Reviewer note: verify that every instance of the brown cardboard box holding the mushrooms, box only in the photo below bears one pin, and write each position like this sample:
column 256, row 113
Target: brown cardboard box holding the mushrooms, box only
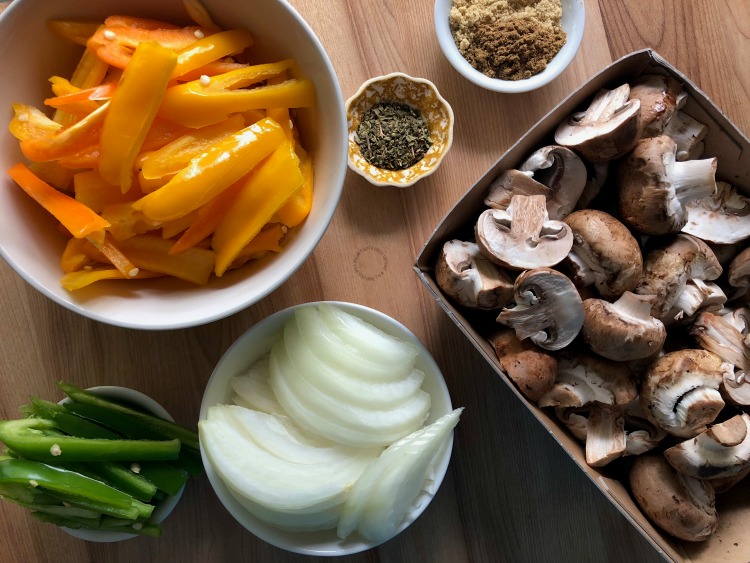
column 732, row 540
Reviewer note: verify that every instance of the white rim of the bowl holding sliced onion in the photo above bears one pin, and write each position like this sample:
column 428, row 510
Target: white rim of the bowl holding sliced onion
column 439, row 466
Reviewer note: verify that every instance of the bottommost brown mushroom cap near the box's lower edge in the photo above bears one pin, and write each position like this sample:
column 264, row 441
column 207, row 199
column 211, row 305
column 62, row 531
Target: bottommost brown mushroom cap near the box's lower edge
column 680, row 505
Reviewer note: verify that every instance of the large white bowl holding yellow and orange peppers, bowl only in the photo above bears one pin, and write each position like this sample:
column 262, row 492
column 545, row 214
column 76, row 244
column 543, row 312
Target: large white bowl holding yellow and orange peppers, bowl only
column 29, row 241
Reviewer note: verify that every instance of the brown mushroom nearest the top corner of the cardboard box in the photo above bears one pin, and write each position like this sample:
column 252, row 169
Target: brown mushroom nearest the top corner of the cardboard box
column 659, row 96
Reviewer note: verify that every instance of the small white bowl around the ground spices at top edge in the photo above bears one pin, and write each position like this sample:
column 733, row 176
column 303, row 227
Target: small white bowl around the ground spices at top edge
column 573, row 23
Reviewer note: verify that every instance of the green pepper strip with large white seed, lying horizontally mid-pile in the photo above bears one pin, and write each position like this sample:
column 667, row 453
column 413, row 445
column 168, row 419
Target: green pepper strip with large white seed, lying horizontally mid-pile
column 24, row 438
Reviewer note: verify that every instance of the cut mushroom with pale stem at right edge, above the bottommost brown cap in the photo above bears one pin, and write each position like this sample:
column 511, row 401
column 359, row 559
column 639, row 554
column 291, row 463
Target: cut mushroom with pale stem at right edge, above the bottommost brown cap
column 721, row 451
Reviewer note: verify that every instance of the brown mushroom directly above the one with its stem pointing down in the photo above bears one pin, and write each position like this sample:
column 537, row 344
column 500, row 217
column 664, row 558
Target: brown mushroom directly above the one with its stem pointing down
column 585, row 379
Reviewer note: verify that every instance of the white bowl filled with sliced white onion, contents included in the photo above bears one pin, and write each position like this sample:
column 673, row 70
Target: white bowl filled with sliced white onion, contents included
column 326, row 429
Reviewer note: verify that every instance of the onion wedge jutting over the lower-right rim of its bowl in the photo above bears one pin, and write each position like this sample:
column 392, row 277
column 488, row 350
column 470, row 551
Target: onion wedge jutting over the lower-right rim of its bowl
column 387, row 489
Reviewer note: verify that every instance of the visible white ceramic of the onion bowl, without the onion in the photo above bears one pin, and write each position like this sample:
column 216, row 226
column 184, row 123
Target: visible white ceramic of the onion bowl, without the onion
column 254, row 344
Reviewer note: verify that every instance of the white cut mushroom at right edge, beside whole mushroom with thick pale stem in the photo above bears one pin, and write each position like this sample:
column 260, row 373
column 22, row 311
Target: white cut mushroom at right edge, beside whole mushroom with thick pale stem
column 721, row 218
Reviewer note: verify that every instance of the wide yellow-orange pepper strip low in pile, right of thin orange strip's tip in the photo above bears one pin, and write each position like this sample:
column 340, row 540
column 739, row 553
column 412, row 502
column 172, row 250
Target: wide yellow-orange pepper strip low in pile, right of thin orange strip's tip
column 151, row 252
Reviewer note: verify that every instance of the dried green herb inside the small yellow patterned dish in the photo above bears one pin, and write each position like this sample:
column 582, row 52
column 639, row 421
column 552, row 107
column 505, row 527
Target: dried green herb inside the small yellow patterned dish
column 393, row 136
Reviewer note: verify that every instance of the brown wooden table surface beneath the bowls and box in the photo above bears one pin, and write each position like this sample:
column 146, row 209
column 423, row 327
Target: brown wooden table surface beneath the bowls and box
column 511, row 493
